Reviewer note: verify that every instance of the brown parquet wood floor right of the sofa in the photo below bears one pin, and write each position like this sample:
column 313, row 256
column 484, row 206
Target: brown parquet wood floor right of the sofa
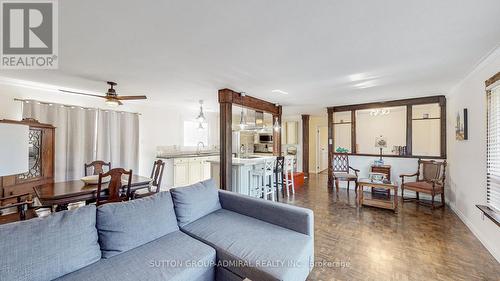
column 376, row 244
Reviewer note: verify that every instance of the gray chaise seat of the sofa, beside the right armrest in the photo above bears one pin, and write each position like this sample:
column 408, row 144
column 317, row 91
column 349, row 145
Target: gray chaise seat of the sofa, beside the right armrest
column 253, row 248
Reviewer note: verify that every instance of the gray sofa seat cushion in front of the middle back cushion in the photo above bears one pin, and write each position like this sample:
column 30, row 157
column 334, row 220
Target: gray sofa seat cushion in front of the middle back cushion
column 175, row 256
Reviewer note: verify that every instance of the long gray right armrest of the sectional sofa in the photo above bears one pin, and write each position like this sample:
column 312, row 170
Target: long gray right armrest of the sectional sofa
column 294, row 218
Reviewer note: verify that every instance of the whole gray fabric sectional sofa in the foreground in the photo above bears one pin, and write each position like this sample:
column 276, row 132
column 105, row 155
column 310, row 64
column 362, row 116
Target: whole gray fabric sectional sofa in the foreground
column 190, row 233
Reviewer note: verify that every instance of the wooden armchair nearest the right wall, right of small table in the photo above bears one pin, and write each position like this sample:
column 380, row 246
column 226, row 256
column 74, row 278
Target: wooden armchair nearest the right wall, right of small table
column 430, row 179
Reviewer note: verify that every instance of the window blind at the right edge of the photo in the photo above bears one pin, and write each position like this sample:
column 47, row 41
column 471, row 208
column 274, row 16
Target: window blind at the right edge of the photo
column 493, row 148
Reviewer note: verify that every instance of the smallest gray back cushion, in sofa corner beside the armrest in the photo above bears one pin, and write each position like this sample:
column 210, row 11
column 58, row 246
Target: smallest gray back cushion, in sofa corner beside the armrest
column 195, row 201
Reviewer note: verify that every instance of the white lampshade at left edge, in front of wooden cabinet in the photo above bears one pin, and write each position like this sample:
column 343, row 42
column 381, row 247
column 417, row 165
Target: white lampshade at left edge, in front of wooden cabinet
column 14, row 149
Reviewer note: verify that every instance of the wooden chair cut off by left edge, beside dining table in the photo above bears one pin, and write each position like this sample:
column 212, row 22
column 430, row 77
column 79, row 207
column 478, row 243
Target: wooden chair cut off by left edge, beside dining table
column 22, row 203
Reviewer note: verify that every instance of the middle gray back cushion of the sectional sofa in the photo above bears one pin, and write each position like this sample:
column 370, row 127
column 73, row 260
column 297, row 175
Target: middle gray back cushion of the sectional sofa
column 126, row 225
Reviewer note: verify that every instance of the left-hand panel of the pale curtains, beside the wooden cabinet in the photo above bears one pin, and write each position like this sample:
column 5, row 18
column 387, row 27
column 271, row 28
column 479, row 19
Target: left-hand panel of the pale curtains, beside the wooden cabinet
column 75, row 135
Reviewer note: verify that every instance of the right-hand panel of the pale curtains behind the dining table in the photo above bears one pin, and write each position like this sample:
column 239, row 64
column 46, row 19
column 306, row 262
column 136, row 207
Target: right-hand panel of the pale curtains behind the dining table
column 118, row 139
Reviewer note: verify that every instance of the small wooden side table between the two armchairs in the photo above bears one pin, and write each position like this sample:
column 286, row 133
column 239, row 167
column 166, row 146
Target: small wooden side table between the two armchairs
column 390, row 203
